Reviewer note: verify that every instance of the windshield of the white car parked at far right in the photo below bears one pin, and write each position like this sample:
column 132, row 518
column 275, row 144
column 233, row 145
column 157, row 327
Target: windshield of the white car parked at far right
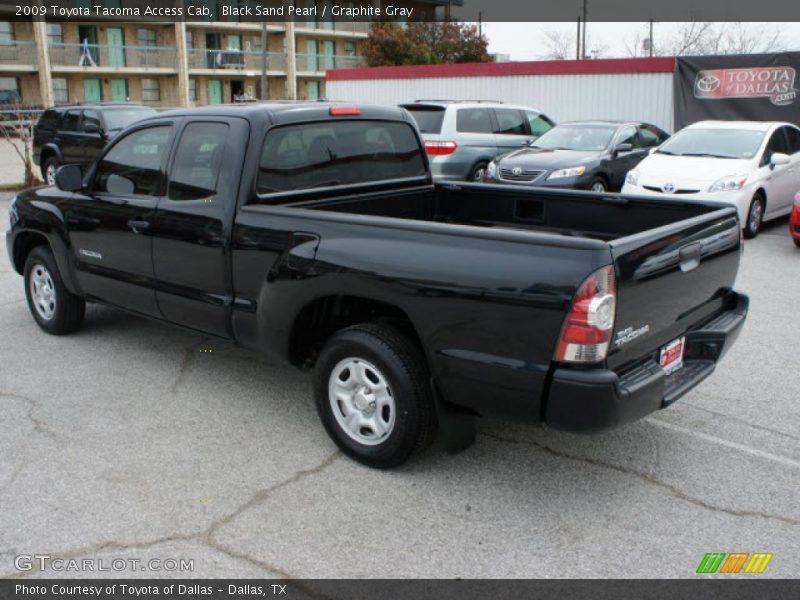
column 718, row 143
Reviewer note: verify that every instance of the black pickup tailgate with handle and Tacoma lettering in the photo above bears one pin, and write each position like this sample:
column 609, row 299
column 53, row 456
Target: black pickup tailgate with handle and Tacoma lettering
column 670, row 279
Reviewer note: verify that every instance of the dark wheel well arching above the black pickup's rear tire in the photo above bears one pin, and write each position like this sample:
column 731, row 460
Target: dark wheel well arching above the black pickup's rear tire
column 325, row 316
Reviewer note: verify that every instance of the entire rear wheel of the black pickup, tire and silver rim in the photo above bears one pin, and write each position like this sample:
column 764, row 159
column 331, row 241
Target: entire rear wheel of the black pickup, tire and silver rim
column 373, row 395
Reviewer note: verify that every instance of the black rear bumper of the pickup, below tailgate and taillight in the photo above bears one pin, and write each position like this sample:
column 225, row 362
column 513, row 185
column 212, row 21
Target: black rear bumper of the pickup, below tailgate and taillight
column 598, row 399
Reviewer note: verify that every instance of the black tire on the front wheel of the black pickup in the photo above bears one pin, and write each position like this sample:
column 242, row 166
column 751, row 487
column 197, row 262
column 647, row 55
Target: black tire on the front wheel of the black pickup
column 67, row 308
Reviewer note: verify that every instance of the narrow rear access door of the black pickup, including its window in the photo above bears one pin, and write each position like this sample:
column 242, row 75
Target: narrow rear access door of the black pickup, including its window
column 192, row 225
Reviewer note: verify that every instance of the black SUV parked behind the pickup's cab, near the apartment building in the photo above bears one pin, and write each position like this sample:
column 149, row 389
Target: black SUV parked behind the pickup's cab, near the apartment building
column 77, row 134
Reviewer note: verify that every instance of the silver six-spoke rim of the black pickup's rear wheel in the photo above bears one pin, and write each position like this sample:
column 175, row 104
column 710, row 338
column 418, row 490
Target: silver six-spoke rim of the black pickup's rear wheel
column 361, row 401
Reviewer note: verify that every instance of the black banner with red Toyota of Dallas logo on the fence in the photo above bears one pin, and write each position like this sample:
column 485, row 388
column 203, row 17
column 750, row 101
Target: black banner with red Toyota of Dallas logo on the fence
column 746, row 87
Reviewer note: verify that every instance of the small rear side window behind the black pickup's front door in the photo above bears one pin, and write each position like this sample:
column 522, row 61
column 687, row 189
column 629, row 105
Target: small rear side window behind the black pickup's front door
column 195, row 171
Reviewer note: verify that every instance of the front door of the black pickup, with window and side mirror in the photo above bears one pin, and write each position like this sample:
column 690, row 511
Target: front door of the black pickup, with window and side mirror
column 110, row 227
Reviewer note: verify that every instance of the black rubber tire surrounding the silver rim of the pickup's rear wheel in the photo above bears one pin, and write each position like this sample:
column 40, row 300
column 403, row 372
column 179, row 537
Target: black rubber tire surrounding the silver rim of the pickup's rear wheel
column 401, row 364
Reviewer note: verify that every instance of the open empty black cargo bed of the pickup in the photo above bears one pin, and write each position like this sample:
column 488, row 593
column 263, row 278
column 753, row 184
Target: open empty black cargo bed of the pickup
column 568, row 213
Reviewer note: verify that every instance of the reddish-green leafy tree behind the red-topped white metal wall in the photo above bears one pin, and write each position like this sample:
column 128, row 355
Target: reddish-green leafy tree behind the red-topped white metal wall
column 423, row 43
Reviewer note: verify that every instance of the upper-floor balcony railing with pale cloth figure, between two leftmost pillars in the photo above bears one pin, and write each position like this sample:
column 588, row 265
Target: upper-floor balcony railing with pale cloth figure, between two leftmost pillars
column 75, row 55
